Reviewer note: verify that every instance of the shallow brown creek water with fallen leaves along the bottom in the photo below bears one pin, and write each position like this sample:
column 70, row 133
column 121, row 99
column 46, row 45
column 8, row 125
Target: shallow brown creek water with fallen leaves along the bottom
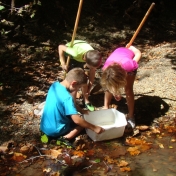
column 158, row 161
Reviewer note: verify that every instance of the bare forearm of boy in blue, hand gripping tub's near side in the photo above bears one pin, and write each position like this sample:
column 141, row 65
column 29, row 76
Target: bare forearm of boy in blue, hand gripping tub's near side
column 81, row 122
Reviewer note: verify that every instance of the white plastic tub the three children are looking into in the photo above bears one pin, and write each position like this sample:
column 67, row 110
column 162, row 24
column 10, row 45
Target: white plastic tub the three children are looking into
column 111, row 120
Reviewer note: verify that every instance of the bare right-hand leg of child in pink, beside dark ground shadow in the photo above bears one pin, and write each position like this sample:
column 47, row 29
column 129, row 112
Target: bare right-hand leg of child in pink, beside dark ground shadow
column 130, row 95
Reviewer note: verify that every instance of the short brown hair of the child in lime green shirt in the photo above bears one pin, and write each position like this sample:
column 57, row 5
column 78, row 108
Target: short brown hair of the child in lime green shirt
column 93, row 58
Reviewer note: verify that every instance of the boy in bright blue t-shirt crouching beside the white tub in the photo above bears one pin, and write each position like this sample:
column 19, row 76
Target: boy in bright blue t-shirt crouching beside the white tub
column 60, row 116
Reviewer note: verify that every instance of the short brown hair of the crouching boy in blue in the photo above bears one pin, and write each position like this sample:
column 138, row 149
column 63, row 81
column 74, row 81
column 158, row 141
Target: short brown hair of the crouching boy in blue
column 78, row 75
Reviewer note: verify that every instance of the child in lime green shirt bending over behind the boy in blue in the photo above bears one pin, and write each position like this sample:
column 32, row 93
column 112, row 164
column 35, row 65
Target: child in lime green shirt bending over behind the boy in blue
column 82, row 52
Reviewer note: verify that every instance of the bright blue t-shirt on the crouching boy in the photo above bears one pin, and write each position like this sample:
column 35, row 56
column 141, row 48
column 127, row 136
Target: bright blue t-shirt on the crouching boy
column 59, row 106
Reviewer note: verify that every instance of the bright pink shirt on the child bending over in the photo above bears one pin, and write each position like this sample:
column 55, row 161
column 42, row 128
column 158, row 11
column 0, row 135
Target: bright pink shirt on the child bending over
column 124, row 57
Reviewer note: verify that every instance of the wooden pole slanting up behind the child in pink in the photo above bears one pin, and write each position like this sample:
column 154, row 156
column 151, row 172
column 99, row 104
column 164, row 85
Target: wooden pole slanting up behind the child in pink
column 140, row 25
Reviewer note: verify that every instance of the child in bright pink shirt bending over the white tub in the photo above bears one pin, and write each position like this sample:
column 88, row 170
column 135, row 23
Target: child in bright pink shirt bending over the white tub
column 119, row 72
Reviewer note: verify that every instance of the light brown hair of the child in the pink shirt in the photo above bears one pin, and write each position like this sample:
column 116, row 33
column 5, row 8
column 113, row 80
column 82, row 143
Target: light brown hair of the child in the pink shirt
column 113, row 78
